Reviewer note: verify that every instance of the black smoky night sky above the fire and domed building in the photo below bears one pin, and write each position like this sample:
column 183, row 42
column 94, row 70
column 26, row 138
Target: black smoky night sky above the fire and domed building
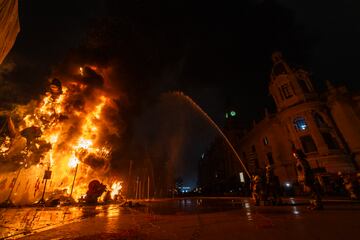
column 217, row 53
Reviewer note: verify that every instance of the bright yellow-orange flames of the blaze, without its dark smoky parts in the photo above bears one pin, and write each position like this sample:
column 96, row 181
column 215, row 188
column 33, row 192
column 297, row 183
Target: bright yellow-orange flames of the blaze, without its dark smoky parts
column 74, row 135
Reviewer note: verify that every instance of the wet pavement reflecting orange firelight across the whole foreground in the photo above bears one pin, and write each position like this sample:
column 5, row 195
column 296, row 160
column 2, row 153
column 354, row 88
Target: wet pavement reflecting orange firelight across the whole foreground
column 195, row 218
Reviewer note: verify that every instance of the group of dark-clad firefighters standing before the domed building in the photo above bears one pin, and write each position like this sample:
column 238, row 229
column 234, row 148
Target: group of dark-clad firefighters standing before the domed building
column 266, row 187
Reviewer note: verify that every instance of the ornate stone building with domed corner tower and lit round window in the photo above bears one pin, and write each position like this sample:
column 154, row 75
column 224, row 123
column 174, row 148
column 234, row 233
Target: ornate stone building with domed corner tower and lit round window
column 326, row 127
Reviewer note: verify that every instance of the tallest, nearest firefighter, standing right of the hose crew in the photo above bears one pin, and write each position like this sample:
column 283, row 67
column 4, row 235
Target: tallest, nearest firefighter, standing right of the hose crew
column 307, row 179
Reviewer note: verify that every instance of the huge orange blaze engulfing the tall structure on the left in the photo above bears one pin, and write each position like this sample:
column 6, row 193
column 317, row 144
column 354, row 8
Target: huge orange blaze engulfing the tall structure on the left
column 64, row 133
